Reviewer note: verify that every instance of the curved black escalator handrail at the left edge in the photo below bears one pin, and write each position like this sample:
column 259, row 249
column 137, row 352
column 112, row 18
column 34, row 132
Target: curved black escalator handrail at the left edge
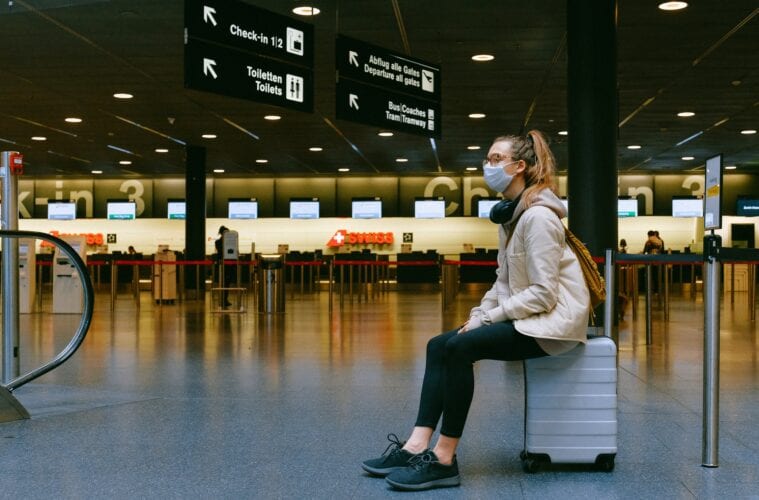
column 89, row 303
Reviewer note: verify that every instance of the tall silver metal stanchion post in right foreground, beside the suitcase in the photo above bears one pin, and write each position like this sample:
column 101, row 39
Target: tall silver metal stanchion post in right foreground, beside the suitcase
column 710, row 435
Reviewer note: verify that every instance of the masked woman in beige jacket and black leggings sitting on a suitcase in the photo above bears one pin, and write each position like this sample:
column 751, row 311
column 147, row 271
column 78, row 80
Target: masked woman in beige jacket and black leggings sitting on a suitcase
column 538, row 306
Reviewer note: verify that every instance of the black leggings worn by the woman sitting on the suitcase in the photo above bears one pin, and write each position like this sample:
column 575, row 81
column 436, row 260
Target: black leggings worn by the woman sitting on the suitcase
column 448, row 383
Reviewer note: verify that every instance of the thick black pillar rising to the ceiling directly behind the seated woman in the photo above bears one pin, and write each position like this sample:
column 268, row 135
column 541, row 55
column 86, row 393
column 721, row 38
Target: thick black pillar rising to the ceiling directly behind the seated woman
column 592, row 106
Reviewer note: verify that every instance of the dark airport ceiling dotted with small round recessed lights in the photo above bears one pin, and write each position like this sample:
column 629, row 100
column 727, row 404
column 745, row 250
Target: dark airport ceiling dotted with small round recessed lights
column 63, row 58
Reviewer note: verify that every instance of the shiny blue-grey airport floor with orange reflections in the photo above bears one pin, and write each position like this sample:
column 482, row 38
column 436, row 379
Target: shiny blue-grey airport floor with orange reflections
column 179, row 402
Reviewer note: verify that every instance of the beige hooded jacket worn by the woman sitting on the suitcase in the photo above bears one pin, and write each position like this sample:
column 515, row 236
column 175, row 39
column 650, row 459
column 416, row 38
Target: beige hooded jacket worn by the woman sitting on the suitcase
column 539, row 283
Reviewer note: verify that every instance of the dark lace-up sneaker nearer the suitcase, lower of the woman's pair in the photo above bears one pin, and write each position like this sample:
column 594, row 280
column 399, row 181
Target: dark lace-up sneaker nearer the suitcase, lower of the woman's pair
column 424, row 472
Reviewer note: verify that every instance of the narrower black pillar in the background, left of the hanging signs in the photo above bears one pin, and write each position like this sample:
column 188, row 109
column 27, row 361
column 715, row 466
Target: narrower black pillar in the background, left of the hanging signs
column 195, row 220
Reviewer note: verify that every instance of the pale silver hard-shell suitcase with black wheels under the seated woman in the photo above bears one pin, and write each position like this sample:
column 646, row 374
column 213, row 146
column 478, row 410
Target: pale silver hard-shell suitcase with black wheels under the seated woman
column 571, row 407
